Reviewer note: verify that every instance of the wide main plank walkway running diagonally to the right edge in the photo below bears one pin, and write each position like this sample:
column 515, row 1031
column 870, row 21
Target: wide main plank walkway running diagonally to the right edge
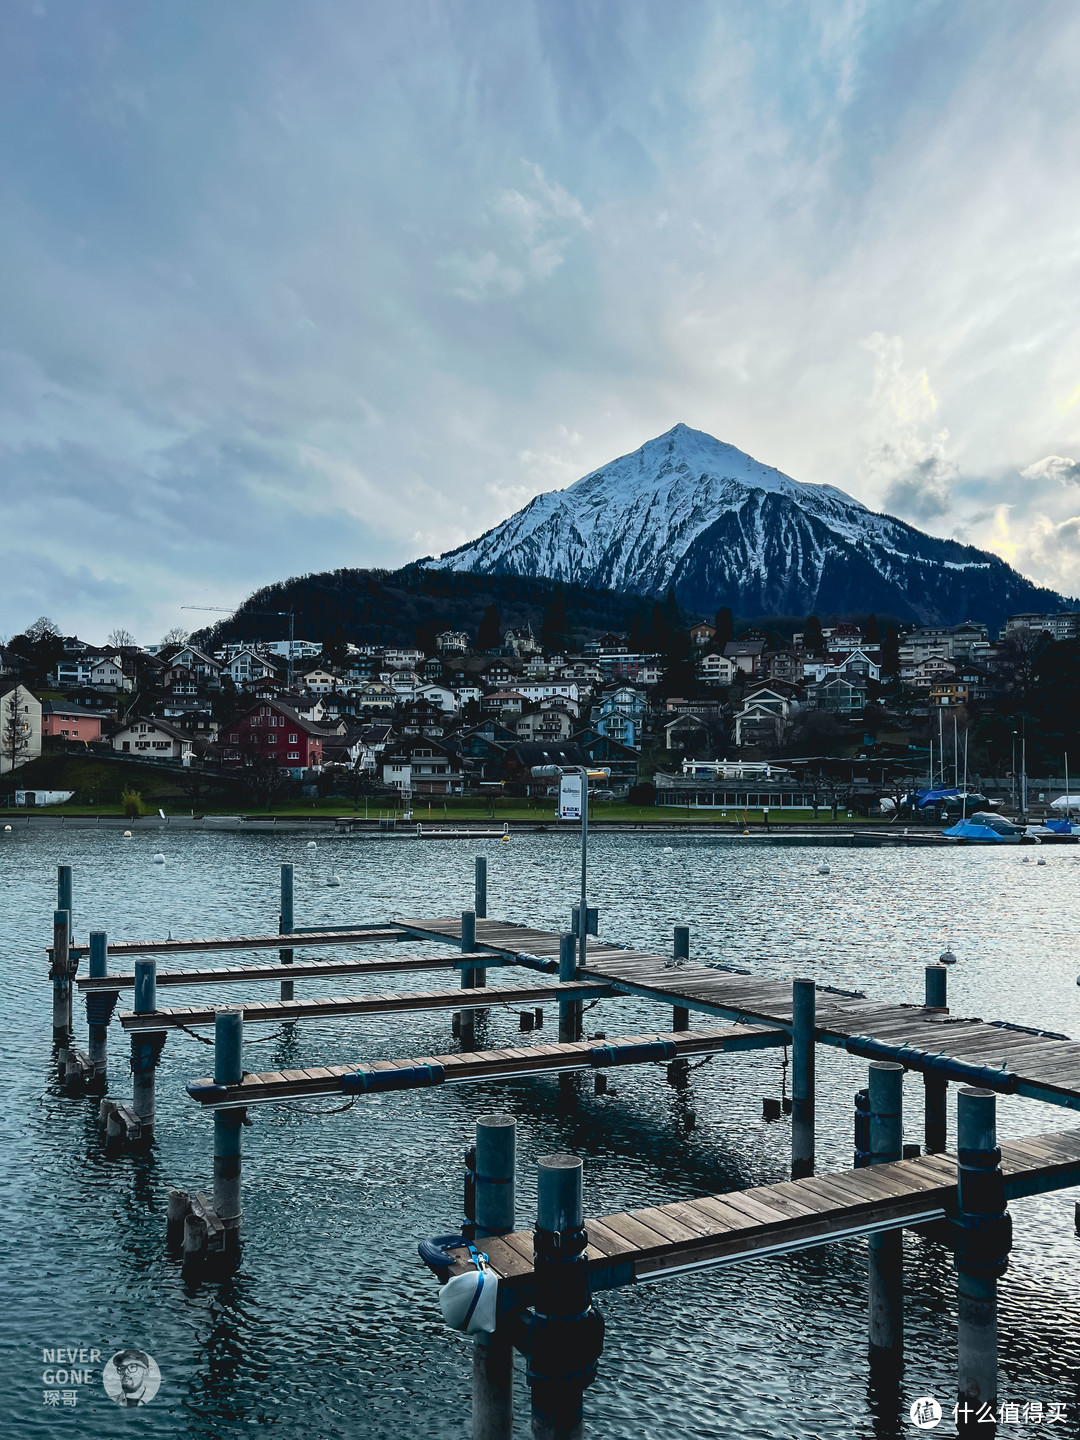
column 1013, row 1061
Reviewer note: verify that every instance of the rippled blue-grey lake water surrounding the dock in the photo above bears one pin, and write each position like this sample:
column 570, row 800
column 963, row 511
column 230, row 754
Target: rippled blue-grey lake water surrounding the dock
column 330, row 1328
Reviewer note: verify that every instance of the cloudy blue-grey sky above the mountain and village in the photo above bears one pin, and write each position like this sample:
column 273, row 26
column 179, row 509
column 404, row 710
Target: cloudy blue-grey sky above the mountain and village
column 289, row 286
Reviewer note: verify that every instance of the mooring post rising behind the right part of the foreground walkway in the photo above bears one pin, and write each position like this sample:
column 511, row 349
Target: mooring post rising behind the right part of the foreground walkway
column 886, row 1251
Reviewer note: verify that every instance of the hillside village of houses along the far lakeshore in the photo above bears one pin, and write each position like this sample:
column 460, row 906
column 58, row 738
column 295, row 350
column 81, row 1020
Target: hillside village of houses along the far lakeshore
column 453, row 719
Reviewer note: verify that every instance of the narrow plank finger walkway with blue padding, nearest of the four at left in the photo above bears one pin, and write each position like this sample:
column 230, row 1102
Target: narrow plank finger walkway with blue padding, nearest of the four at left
column 482, row 1065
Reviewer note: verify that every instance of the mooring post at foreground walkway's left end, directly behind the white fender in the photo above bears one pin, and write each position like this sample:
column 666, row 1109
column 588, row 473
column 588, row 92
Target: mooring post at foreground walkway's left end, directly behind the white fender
column 493, row 1356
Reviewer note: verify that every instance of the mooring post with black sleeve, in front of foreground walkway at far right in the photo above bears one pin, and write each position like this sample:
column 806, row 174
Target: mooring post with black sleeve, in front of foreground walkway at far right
column 983, row 1255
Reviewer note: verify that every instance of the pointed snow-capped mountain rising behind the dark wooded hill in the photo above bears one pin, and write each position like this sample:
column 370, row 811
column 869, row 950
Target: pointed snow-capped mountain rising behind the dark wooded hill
column 693, row 515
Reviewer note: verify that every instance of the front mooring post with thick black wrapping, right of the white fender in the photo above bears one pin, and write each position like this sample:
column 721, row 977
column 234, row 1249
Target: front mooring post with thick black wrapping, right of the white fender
column 567, row 1336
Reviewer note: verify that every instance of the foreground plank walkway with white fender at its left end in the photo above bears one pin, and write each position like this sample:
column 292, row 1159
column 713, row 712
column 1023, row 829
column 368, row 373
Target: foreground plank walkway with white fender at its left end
column 715, row 1230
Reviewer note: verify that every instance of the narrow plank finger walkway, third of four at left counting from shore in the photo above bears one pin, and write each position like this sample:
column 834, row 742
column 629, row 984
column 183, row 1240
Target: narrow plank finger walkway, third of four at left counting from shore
column 343, row 1006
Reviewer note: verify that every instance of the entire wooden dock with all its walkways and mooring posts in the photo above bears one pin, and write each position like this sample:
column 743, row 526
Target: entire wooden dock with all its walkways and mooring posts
column 548, row 1275
